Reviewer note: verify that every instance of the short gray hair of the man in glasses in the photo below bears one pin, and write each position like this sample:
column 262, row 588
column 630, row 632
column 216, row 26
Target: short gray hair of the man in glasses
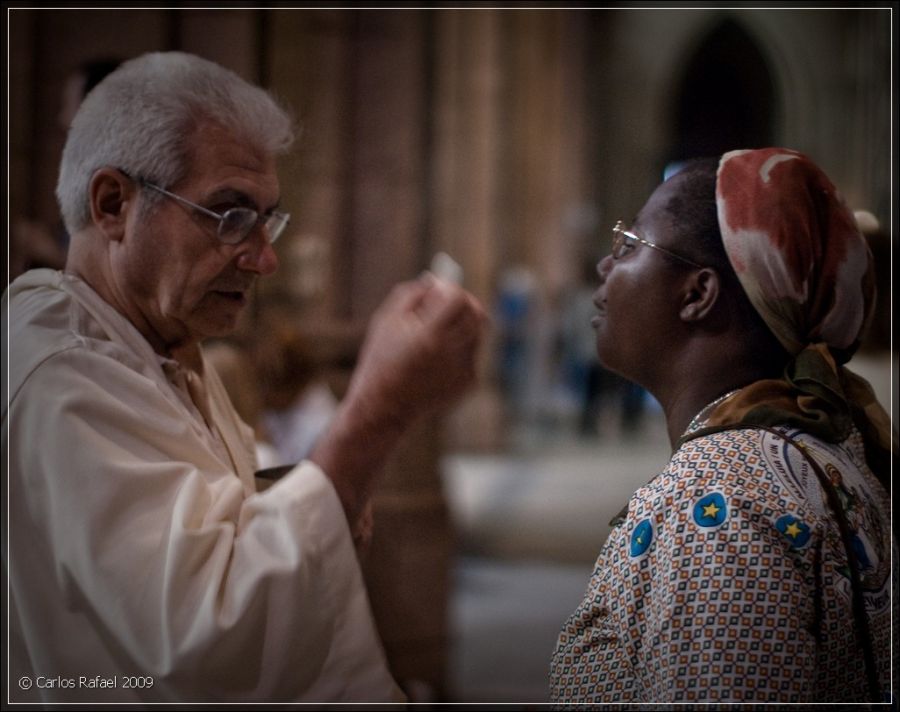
column 143, row 117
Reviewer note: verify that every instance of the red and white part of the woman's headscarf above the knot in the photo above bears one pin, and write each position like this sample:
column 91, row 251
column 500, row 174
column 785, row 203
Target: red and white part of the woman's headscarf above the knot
column 796, row 249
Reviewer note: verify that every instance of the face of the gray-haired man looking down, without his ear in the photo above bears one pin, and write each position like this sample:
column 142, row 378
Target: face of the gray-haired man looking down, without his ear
column 183, row 282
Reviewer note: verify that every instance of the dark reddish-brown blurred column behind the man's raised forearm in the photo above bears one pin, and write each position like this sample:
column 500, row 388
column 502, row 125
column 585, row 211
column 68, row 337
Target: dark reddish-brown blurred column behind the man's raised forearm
column 408, row 566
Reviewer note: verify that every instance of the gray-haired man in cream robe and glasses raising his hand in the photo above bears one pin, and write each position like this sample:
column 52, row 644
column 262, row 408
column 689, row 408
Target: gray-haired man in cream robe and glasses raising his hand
column 142, row 563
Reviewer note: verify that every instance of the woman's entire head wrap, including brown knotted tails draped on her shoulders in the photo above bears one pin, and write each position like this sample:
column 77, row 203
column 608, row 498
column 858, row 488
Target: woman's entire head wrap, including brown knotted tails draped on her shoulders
column 808, row 272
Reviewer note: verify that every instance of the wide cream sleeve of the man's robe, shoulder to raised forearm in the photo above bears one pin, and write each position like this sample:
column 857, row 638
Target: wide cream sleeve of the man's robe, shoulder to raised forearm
column 218, row 595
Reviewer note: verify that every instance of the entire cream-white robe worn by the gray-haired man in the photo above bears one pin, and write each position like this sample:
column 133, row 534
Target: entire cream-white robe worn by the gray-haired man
column 137, row 544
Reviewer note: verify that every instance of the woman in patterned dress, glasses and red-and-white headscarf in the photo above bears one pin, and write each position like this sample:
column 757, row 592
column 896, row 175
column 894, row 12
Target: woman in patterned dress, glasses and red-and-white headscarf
column 756, row 566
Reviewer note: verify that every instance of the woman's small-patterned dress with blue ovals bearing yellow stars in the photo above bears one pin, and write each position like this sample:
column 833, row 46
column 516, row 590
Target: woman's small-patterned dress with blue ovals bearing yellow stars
column 727, row 581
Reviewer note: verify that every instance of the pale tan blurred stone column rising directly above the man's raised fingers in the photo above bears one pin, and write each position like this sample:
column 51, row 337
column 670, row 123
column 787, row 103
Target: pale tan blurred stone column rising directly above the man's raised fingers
column 466, row 93
